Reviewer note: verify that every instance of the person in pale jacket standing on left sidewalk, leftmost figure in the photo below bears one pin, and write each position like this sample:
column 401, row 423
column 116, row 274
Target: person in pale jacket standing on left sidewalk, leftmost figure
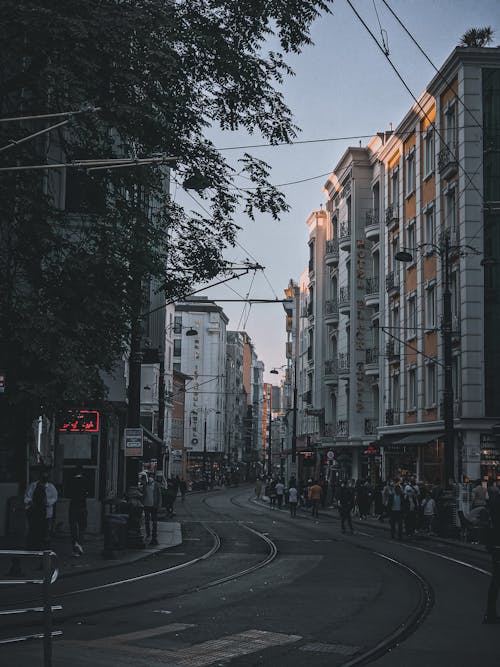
column 39, row 500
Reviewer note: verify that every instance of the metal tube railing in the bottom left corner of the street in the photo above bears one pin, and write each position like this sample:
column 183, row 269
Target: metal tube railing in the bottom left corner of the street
column 50, row 574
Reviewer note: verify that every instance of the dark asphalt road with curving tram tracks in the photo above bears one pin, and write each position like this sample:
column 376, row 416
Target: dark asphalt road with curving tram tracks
column 251, row 586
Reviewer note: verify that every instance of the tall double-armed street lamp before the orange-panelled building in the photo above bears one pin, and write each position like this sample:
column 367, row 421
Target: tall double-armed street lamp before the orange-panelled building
column 444, row 250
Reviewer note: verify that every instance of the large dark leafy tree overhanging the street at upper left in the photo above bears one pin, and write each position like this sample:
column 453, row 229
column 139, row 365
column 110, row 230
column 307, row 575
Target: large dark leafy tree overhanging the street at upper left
column 161, row 74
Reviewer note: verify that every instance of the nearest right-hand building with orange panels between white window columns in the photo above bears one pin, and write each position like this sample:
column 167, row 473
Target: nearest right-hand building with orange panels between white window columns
column 441, row 188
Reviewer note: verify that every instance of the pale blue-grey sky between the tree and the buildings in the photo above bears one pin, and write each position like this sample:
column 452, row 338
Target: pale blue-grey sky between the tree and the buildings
column 343, row 87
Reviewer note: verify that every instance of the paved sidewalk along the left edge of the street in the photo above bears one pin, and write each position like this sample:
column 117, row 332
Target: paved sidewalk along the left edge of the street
column 169, row 535
